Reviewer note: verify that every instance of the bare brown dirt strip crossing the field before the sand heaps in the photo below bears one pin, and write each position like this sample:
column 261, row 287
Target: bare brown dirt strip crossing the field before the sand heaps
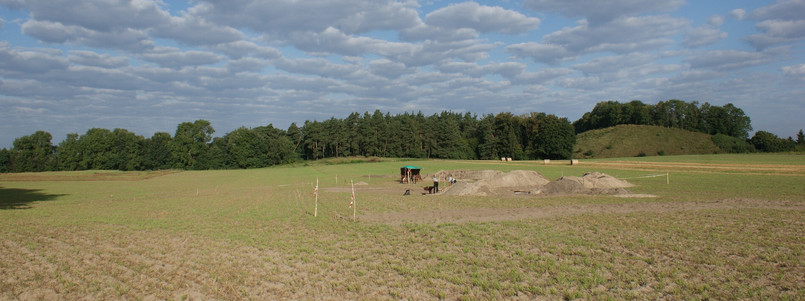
column 512, row 214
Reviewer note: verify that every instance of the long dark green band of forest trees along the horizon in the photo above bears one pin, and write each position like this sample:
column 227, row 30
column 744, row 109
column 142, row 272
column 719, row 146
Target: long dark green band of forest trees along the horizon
column 446, row 135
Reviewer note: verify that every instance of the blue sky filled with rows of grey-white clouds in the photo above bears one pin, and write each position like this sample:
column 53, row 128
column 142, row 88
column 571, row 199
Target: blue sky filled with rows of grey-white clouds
column 67, row 66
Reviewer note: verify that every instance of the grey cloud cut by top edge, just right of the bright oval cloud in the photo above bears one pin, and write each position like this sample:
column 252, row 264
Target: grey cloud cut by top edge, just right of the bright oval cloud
column 598, row 12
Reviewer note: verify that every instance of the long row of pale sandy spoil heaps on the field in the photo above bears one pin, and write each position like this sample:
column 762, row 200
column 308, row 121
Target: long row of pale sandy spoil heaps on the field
column 491, row 182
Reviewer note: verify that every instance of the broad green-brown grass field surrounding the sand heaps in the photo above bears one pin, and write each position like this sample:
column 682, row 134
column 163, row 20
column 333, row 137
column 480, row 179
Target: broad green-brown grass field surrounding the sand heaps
column 726, row 227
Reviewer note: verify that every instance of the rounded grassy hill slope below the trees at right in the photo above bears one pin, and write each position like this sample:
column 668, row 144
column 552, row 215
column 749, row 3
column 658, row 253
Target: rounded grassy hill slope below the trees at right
column 641, row 140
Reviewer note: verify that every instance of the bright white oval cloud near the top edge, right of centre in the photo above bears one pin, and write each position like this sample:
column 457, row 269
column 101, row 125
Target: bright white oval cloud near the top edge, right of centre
column 481, row 18
